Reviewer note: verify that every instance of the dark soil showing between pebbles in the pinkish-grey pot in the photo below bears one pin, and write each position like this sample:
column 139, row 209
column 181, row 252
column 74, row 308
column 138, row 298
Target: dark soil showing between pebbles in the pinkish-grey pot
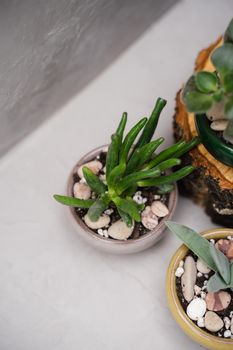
column 139, row 229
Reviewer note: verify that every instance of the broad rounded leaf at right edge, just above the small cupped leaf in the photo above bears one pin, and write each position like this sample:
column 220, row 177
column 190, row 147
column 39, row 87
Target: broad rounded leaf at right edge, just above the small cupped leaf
column 222, row 59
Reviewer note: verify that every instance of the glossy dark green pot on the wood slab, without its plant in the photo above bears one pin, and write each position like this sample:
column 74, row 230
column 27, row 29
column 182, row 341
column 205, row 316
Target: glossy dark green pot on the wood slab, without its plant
column 219, row 149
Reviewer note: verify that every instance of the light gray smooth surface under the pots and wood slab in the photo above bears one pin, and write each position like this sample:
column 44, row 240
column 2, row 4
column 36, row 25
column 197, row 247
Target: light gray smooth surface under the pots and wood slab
column 57, row 292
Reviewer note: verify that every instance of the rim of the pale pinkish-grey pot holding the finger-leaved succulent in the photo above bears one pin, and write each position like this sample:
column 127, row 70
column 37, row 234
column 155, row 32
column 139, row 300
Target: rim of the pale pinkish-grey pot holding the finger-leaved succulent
column 173, row 197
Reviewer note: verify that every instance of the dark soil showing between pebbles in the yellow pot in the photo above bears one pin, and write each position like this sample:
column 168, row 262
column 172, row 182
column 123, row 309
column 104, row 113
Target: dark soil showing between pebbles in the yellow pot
column 200, row 283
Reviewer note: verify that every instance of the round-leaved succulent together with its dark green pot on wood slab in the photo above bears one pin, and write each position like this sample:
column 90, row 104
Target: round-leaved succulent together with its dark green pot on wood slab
column 210, row 96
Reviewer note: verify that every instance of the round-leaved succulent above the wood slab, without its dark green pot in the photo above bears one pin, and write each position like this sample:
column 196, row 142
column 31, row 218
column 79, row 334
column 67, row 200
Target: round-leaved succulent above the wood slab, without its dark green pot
column 204, row 90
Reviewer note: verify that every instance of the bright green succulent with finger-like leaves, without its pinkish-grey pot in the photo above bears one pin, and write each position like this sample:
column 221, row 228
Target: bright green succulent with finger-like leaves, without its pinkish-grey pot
column 131, row 164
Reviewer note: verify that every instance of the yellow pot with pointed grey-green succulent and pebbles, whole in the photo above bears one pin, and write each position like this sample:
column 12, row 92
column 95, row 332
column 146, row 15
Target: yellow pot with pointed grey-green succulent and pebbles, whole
column 199, row 285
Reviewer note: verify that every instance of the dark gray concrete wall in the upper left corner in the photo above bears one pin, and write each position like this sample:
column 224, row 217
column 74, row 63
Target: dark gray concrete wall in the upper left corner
column 50, row 49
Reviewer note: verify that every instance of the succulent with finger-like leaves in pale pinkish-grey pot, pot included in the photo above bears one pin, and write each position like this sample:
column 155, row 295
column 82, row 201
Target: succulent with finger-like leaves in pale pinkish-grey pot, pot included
column 120, row 195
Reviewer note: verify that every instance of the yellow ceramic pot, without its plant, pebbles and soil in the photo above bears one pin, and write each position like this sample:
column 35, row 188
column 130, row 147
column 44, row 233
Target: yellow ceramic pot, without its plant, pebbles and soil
column 197, row 334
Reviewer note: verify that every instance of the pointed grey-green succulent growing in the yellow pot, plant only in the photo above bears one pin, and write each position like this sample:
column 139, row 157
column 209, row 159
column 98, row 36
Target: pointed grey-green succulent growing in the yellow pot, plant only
column 209, row 254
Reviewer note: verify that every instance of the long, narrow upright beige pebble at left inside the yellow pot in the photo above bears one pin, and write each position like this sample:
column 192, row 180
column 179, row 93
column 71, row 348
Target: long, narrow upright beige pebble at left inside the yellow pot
column 188, row 279
